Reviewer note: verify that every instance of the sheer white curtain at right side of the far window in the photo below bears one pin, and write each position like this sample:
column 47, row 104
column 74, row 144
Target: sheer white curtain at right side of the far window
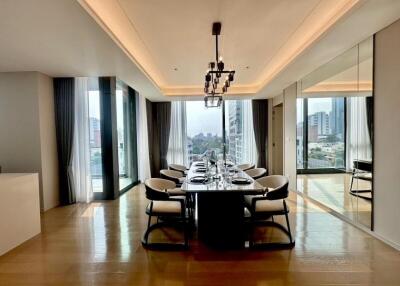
column 249, row 144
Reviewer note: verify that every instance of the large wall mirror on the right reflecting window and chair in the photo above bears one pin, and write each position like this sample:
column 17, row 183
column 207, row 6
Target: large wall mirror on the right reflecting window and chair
column 335, row 134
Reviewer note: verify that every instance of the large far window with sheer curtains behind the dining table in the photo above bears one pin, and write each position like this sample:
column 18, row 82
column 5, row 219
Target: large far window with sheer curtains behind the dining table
column 202, row 129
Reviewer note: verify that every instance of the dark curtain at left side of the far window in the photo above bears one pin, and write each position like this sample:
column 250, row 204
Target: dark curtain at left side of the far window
column 159, row 125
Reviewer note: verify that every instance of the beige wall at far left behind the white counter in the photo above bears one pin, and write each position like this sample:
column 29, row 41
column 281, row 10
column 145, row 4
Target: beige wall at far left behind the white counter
column 27, row 141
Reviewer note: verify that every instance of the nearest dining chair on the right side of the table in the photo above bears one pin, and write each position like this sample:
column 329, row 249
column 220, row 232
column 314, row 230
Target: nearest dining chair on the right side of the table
column 265, row 207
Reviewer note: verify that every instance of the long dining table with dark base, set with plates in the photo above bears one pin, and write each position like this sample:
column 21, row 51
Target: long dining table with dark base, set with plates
column 220, row 207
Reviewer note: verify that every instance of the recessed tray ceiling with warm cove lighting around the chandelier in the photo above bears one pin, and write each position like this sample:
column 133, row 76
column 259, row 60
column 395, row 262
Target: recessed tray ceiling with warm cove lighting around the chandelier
column 172, row 41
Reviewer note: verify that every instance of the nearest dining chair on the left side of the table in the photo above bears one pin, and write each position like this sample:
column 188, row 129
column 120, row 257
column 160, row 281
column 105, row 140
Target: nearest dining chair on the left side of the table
column 169, row 211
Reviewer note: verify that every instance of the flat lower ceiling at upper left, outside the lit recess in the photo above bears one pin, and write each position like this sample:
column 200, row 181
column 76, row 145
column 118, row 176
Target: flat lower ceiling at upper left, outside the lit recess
column 59, row 38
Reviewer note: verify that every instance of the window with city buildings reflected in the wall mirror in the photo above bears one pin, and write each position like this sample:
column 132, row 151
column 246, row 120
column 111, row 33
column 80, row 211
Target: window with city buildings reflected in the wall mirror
column 321, row 133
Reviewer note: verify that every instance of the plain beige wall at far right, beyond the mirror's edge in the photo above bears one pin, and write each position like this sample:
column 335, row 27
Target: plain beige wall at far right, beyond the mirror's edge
column 387, row 134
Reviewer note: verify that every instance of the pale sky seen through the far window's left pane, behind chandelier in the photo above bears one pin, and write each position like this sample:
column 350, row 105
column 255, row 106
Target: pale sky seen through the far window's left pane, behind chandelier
column 201, row 119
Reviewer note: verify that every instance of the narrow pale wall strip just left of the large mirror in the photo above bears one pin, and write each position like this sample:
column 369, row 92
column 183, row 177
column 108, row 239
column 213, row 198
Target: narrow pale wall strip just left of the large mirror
column 289, row 134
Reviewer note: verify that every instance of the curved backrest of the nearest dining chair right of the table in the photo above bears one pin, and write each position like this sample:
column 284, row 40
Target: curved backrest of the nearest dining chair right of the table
column 278, row 186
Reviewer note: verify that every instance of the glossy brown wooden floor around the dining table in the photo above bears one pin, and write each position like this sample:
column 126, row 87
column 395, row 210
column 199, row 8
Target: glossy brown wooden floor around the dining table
column 99, row 244
